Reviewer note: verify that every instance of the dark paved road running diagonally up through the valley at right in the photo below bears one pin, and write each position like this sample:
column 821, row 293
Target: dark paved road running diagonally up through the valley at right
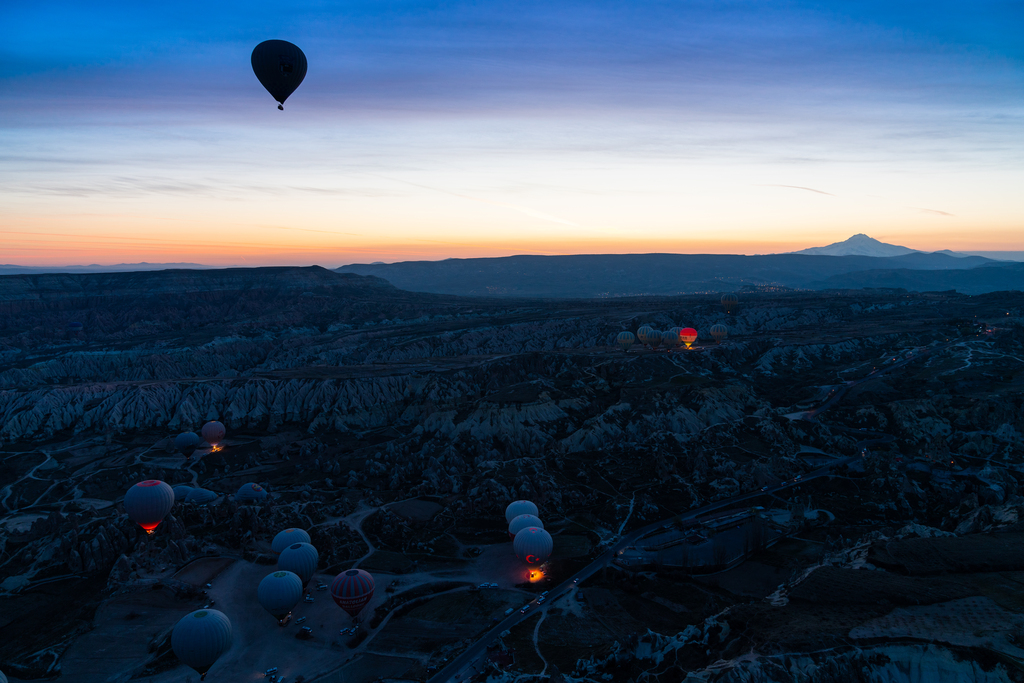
column 467, row 664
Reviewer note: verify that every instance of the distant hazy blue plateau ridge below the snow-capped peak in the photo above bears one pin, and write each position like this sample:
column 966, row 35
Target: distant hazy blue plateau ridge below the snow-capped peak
column 670, row 275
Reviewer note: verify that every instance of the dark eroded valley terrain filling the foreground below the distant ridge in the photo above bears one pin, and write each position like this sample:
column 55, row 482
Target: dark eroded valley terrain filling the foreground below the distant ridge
column 396, row 428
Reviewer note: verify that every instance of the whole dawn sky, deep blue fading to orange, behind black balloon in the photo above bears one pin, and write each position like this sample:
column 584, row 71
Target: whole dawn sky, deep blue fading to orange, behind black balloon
column 426, row 131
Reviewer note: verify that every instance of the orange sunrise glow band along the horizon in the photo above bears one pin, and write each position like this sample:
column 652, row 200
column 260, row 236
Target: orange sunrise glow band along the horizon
column 63, row 245
